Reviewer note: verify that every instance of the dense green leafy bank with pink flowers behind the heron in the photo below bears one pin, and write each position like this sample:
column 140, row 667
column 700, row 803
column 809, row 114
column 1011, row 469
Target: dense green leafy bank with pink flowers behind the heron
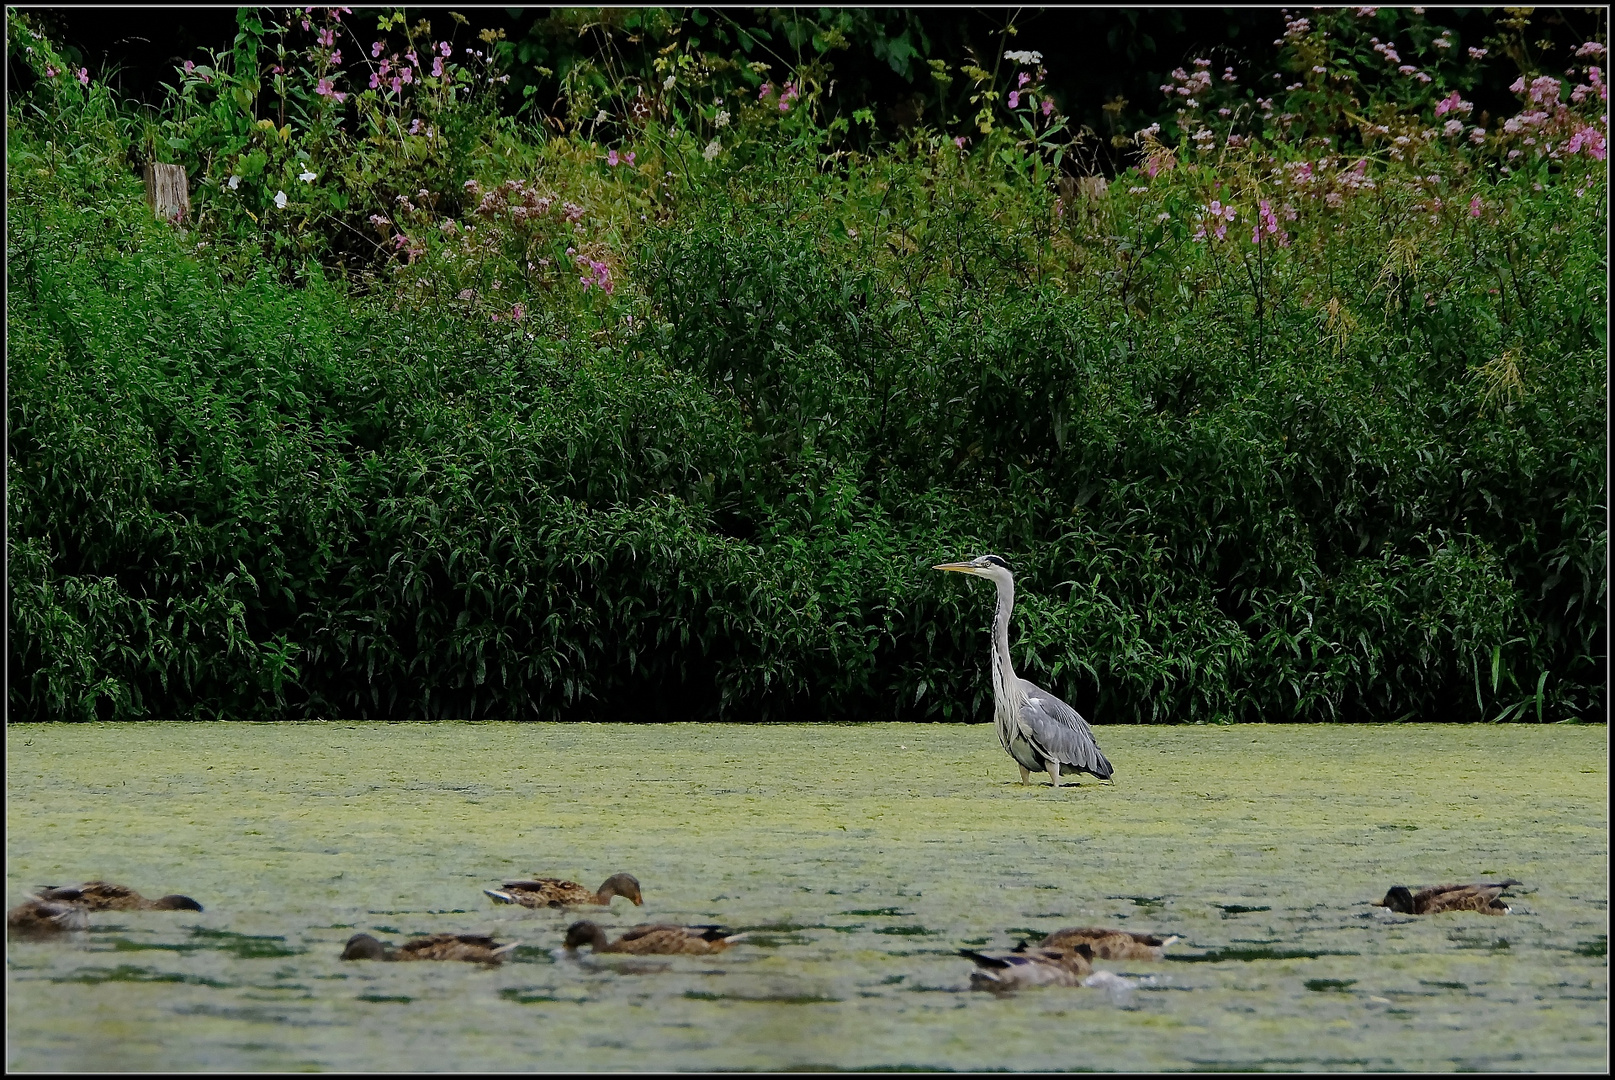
column 1346, row 467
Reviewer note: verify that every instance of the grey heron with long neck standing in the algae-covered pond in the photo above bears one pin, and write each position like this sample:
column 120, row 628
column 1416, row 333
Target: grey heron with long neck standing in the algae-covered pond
column 1036, row 729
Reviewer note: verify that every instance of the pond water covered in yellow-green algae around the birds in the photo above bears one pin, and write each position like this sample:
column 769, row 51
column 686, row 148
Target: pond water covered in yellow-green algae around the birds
column 862, row 856
